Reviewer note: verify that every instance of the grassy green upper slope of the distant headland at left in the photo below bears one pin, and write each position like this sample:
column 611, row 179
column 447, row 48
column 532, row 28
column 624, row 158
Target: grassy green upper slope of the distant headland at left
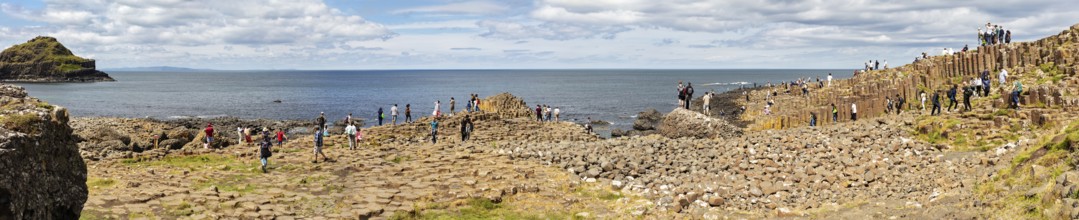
column 40, row 49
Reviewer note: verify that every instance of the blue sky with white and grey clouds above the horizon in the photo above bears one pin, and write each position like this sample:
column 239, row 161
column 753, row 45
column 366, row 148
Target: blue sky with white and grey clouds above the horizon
column 521, row 34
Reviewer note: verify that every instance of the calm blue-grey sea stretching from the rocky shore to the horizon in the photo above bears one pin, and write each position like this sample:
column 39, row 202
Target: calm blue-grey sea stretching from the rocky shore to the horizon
column 610, row 95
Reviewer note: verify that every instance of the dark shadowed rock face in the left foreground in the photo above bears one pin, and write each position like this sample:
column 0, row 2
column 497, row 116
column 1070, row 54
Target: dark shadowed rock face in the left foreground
column 42, row 174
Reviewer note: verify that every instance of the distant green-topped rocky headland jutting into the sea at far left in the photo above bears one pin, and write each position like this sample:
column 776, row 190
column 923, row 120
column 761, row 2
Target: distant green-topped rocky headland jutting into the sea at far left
column 46, row 60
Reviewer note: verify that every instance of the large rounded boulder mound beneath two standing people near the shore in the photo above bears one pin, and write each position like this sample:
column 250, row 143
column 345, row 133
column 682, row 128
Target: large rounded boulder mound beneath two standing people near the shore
column 686, row 123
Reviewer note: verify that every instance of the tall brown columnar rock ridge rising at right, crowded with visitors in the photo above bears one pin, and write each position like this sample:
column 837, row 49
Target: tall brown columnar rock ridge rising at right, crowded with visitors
column 1047, row 59
